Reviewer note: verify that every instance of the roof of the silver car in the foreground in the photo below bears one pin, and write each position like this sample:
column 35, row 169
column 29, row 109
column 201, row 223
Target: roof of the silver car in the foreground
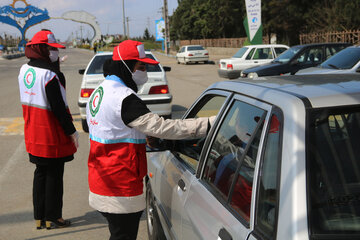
column 321, row 90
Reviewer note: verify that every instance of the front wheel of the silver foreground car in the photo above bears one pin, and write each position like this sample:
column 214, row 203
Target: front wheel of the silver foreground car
column 154, row 228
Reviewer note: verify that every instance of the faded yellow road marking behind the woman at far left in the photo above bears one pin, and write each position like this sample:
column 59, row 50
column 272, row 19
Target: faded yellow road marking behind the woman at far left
column 15, row 126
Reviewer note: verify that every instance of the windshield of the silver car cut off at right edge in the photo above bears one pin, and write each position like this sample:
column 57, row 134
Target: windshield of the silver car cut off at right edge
column 345, row 59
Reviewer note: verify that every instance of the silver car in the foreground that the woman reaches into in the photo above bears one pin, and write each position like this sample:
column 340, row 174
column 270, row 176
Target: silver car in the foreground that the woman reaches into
column 281, row 161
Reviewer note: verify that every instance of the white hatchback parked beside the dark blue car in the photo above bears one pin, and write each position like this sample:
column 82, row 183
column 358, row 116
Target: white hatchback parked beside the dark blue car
column 249, row 56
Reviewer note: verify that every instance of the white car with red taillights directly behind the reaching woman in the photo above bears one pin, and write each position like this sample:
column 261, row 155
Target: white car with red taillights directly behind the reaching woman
column 155, row 92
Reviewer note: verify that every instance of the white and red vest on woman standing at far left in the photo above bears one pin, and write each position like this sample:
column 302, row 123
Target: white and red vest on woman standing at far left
column 44, row 136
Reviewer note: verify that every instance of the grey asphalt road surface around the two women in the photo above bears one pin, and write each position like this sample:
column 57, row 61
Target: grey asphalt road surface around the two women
column 186, row 83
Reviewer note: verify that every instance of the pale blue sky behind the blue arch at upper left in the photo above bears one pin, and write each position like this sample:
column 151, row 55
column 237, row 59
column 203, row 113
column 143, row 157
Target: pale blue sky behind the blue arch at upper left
column 108, row 13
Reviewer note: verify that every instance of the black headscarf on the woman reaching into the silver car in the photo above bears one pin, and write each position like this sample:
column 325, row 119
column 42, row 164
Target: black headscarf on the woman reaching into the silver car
column 118, row 68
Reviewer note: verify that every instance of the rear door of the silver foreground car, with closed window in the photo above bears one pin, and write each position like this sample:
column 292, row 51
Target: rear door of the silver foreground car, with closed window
column 221, row 199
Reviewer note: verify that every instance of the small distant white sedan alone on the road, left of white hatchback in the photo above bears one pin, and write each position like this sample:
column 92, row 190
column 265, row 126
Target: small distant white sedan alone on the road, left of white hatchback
column 192, row 54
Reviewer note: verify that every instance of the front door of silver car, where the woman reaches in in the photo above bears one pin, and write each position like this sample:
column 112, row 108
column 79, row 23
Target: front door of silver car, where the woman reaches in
column 180, row 165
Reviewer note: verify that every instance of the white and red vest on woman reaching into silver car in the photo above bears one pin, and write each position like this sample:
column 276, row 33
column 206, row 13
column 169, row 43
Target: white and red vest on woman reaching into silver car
column 117, row 158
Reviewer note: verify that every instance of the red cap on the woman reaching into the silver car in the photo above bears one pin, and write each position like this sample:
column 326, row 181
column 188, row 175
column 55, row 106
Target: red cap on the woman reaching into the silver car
column 131, row 50
